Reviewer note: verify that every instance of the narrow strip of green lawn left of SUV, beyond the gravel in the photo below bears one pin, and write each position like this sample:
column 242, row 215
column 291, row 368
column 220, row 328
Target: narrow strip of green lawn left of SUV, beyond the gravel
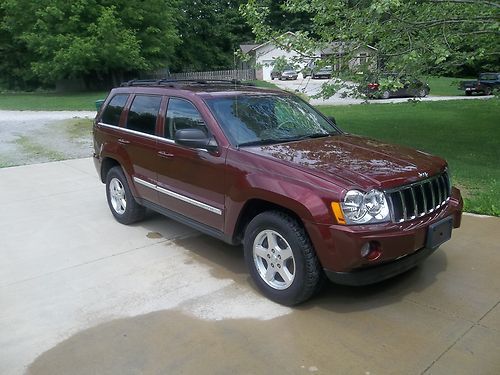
column 50, row 101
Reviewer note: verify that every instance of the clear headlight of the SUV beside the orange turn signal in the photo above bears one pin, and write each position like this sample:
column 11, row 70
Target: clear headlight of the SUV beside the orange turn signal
column 363, row 208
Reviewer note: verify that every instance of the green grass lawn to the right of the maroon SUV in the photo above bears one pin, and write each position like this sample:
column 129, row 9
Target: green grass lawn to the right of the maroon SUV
column 465, row 133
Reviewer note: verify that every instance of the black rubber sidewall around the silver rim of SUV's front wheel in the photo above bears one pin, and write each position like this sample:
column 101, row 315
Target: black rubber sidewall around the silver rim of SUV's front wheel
column 268, row 221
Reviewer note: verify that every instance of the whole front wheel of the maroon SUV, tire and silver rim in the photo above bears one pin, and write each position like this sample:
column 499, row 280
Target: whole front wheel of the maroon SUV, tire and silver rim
column 288, row 272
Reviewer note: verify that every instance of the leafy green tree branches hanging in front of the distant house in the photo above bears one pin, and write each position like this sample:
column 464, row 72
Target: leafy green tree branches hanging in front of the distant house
column 420, row 36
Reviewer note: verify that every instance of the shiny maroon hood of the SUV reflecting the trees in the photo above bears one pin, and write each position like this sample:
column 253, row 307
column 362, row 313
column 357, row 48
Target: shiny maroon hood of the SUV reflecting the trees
column 359, row 161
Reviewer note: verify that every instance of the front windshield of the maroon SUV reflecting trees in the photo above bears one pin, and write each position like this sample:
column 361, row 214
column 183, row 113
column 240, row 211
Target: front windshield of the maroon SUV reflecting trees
column 251, row 120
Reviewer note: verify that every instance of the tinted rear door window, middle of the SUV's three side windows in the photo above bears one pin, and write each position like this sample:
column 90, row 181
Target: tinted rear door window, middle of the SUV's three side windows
column 143, row 112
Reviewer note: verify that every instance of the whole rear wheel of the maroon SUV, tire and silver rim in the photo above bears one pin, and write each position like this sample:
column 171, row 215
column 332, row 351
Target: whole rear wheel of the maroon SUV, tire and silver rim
column 121, row 202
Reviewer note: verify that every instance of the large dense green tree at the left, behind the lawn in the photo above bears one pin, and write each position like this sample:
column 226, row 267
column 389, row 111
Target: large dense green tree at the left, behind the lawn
column 90, row 38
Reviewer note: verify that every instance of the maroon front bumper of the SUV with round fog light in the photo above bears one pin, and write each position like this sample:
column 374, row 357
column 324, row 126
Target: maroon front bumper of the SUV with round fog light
column 403, row 245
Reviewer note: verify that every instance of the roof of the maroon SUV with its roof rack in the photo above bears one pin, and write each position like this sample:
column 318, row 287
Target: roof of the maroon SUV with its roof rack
column 203, row 88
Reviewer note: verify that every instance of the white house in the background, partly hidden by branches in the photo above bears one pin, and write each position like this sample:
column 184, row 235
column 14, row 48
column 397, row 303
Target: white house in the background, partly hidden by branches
column 263, row 56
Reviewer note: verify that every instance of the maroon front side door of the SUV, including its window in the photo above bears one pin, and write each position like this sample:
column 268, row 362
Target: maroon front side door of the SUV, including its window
column 190, row 181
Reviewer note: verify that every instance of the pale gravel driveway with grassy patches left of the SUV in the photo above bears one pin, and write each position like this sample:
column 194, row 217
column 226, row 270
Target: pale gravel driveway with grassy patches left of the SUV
column 28, row 137
